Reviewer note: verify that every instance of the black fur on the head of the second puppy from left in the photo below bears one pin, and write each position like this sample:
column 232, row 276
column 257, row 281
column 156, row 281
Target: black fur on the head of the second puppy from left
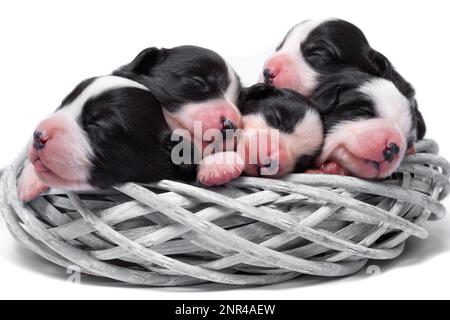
column 180, row 75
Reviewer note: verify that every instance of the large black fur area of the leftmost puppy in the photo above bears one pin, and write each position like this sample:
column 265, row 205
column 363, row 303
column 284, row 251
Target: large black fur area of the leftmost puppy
column 130, row 139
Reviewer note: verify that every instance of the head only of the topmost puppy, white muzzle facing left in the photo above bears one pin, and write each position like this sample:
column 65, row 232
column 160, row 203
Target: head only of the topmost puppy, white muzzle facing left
column 314, row 48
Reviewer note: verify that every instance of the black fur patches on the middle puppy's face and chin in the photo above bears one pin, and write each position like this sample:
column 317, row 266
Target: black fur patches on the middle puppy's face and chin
column 283, row 109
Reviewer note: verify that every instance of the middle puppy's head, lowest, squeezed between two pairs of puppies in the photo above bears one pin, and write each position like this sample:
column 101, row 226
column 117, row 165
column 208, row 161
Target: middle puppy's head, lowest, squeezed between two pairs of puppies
column 282, row 132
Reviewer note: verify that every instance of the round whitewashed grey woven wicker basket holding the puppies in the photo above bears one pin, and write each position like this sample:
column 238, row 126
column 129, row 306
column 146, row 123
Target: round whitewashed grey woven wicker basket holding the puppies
column 254, row 231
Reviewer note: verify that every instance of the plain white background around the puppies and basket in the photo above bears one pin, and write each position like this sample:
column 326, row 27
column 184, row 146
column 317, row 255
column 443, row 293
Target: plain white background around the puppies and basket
column 47, row 47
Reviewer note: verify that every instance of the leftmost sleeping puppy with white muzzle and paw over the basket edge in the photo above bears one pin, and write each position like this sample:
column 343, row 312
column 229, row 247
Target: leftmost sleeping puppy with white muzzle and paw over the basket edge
column 109, row 130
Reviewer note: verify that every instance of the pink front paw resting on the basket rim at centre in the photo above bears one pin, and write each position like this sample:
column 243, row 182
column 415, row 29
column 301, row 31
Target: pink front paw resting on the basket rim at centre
column 220, row 168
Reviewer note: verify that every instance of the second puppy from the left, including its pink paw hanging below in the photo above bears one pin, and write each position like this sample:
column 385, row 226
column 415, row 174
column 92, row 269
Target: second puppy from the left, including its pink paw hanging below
column 198, row 90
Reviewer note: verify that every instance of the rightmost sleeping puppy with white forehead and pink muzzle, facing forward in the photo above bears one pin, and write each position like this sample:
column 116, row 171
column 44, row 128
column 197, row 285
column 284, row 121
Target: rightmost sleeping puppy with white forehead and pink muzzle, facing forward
column 368, row 122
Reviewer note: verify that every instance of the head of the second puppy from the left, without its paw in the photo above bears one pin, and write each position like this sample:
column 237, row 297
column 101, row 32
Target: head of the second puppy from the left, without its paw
column 192, row 83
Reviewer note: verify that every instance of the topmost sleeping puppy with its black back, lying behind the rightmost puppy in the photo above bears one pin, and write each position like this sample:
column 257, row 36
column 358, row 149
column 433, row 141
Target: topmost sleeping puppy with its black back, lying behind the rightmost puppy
column 317, row 48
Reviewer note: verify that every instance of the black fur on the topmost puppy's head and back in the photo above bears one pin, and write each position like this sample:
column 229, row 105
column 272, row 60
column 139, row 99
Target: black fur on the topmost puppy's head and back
column 336, row 45
